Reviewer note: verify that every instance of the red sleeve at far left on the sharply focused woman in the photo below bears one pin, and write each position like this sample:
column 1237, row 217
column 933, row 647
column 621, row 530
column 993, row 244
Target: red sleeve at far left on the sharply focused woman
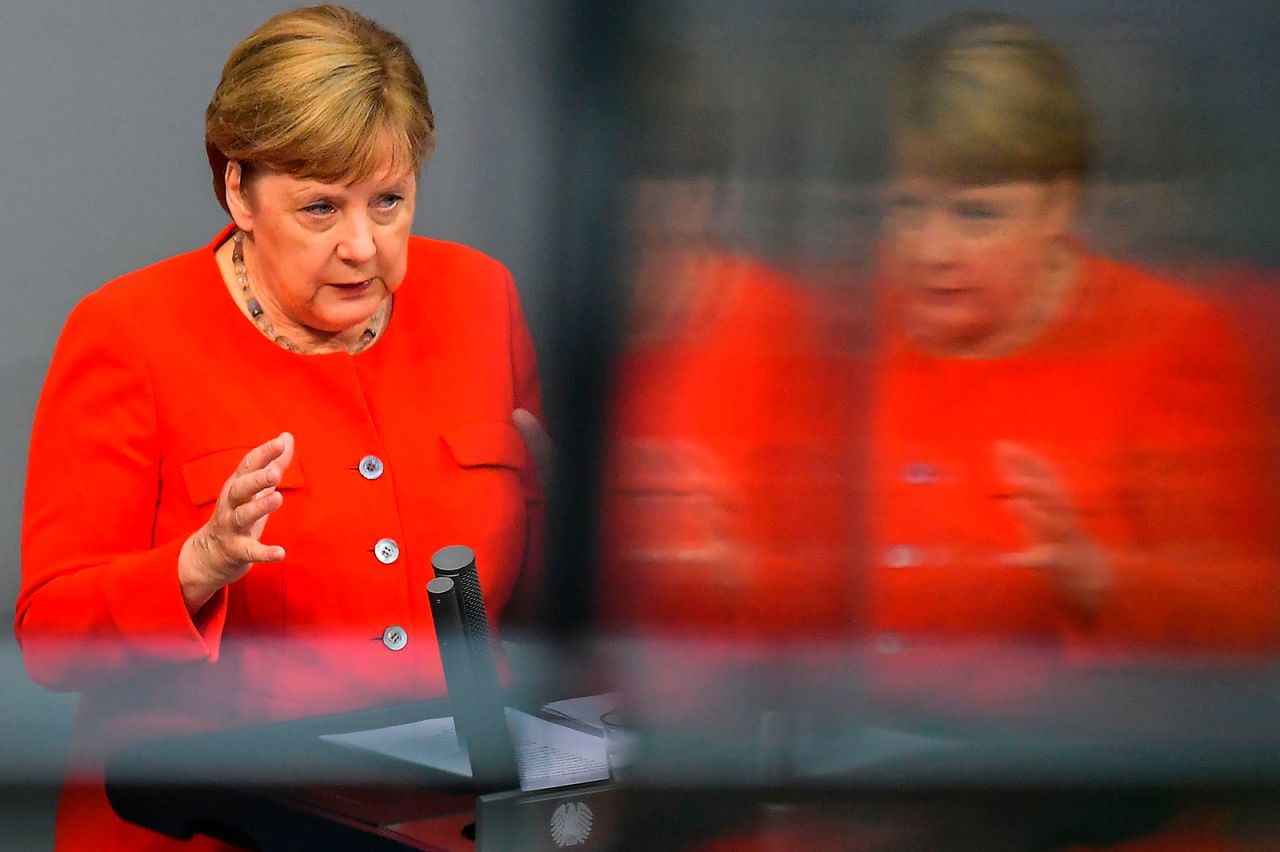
column 100, row 598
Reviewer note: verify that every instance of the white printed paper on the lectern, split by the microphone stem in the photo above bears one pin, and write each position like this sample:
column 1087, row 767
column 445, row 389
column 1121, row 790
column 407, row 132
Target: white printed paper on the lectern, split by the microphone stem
column 547, row 755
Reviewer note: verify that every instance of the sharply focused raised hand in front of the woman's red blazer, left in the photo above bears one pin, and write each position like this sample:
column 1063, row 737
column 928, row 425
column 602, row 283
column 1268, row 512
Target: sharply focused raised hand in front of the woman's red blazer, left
column 230, row 544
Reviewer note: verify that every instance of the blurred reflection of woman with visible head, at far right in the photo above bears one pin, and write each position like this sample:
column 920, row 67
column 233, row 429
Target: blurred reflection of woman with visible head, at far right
column 1064, row 448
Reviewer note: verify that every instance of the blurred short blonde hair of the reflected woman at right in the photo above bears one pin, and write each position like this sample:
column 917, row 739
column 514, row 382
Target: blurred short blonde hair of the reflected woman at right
column 985, row 99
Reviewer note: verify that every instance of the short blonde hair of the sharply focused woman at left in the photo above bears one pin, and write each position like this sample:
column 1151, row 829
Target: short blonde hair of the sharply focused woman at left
column 319, row 94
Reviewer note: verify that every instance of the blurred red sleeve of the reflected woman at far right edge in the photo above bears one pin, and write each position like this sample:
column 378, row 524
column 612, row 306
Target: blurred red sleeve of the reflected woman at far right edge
column 1203, row 570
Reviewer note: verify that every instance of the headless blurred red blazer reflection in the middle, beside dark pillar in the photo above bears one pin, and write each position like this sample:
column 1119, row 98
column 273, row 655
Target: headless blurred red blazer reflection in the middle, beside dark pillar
column 732, row 484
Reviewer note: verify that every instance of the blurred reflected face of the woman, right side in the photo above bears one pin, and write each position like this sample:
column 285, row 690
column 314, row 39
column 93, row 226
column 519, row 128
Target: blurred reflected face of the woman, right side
column 971, row 262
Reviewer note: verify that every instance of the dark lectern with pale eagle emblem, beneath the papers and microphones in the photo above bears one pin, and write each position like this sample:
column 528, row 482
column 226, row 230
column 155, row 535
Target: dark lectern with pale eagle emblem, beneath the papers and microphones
column 284, row 787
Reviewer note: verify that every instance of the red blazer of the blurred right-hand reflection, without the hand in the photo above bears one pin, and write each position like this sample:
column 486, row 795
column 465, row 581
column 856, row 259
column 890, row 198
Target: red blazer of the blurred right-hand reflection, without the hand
column 1142, row 398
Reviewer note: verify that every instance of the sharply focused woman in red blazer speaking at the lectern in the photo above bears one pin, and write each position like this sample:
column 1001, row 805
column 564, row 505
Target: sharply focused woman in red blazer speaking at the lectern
column 245, row 456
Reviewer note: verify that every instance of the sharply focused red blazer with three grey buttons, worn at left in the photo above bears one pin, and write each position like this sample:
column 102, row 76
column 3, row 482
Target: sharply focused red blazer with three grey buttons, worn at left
column 158, row 387
